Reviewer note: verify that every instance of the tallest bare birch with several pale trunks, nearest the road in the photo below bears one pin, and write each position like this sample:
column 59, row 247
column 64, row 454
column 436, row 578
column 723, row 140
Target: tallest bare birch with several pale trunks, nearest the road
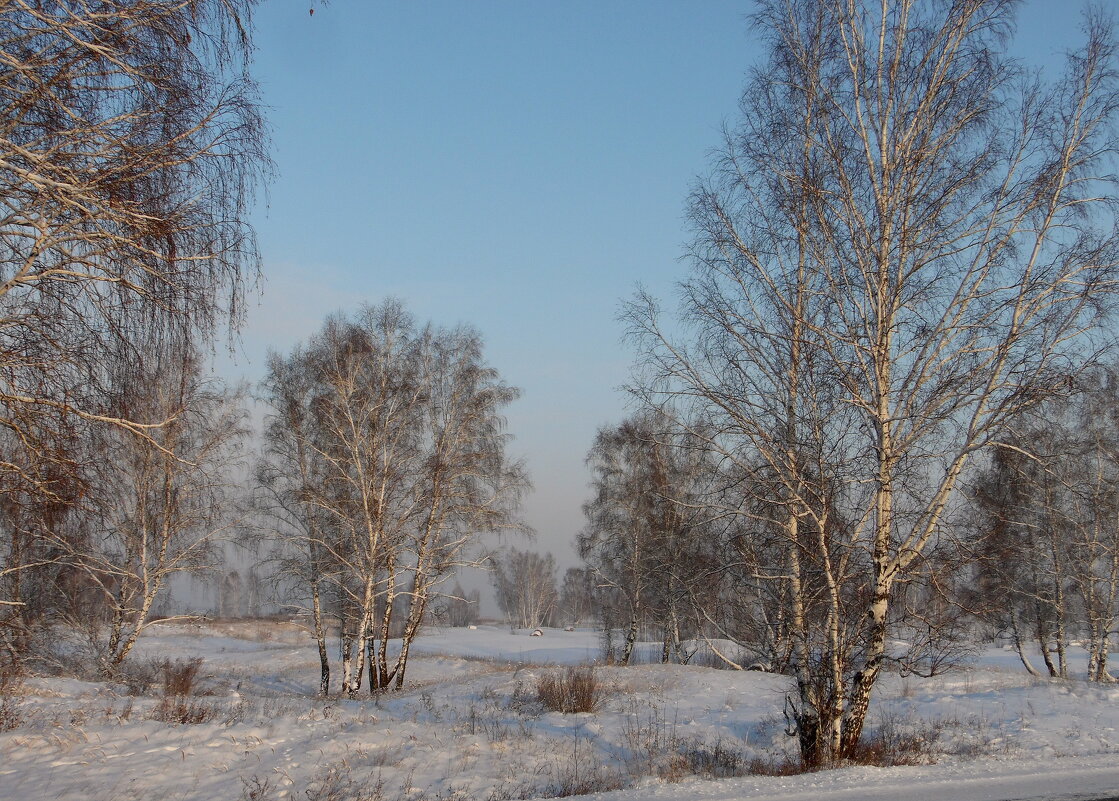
column 907, row 241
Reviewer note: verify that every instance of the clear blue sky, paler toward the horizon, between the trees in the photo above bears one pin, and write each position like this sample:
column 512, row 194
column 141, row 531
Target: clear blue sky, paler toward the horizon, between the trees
column 520, row 166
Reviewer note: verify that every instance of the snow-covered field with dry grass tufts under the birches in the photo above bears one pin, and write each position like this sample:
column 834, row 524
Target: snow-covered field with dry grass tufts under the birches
column 469, row 727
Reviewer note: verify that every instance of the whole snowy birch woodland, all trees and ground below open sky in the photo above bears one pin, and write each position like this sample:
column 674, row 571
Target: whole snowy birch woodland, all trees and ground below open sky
column 869, row 482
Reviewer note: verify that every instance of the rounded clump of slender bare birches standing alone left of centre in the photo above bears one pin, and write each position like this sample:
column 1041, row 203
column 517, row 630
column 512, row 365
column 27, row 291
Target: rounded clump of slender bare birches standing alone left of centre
column 384, row 460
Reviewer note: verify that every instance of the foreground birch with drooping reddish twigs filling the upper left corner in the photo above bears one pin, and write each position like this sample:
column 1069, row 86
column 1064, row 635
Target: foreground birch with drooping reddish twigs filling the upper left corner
column 131, row 145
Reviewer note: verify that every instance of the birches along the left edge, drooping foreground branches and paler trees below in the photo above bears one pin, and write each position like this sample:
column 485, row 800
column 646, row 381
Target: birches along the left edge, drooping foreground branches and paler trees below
column 131, row 145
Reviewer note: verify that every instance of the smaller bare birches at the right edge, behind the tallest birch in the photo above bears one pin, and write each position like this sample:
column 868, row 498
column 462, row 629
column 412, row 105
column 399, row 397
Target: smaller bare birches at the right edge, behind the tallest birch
column 1049, row 527
